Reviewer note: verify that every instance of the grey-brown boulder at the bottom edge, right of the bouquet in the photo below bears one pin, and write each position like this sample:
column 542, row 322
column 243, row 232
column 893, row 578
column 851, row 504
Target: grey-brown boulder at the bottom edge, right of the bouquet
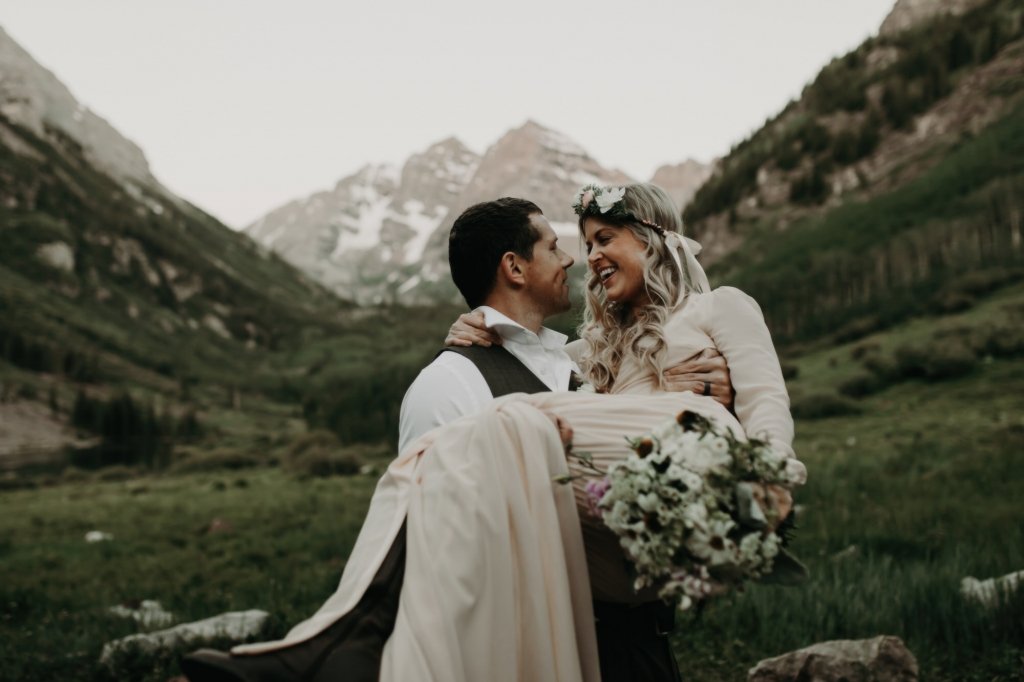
column 883, row 659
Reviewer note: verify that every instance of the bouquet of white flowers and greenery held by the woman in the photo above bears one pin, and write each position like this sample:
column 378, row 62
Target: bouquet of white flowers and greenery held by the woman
column 689, row 507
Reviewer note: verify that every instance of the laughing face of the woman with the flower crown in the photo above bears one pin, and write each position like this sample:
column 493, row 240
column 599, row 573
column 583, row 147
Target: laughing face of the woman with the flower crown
column 618, row 259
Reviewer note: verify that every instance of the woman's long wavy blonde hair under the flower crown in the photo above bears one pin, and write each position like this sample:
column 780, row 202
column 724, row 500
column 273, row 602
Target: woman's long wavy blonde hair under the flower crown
column 614, row 332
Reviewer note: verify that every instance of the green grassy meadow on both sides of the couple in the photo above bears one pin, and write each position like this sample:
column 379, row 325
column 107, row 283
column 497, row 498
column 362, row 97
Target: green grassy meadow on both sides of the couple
column 919, row 489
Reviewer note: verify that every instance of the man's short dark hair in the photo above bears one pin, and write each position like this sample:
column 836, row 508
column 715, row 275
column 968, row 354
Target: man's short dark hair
column 482, row 236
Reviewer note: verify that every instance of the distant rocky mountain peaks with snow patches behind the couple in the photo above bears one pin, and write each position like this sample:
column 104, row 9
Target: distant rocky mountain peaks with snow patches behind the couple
column 381, row 235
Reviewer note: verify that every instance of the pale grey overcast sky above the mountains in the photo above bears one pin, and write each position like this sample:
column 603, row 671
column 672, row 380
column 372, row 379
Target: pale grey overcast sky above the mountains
column 244, row 105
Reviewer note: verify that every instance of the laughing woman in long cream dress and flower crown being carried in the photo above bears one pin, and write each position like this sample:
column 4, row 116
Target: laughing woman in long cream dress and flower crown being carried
column 501, row 570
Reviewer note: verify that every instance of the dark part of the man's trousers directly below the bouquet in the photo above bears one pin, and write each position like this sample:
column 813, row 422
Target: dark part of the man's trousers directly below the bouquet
column 633, row 643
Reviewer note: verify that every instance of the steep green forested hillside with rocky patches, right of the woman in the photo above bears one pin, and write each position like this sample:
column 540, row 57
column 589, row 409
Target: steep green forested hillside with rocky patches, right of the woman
column 893, row 187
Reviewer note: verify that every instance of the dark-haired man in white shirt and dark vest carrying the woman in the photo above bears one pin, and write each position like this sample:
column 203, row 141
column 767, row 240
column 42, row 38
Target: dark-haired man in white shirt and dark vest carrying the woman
column 506, row 263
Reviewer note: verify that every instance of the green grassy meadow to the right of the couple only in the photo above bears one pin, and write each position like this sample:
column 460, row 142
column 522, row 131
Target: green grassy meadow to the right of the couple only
column 922, row 489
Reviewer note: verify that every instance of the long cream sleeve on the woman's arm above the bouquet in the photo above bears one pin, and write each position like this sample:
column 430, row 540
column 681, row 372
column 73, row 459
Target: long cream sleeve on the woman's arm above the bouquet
column 739, row 330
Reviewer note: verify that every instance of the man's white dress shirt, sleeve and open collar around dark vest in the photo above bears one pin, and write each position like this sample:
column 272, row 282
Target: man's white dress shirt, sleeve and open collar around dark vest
column 452, row 387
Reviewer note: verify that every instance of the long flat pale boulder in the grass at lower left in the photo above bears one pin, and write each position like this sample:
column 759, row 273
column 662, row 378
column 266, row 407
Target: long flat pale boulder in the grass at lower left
column 237, row 626
